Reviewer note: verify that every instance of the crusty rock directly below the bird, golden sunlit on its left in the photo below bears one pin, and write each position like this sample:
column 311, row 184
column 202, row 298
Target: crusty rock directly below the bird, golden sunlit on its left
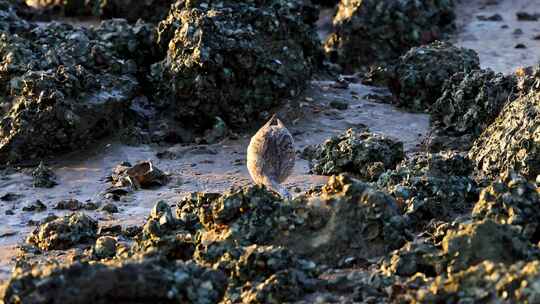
column 251, row 215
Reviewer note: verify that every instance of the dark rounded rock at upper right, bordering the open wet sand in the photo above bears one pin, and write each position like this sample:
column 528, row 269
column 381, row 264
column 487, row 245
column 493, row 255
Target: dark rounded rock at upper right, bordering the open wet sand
column 418, row 76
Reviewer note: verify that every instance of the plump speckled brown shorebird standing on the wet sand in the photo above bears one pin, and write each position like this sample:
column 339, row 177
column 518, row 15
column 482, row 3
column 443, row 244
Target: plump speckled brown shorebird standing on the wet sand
column 270, row 156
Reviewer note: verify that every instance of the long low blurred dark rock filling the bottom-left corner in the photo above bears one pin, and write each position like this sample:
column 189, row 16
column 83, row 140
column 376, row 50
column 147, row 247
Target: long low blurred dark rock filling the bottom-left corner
column 149, row 280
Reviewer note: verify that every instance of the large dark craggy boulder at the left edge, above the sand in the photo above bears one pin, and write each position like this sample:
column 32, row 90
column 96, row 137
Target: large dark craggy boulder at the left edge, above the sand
column 74, row 84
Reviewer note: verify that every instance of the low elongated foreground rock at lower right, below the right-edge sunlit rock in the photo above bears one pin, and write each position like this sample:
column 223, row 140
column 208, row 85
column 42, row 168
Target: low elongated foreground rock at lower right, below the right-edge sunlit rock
column 462, row 246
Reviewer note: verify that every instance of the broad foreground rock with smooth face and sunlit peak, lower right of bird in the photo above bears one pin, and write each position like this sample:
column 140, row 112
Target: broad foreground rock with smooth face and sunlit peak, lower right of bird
column 347, row 219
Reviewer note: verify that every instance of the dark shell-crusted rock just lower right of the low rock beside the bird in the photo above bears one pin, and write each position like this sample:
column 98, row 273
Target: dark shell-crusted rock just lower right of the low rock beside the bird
column 432, row 186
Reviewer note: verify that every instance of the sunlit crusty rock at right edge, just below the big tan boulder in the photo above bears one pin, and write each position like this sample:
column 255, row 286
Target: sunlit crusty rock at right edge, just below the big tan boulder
column 511, row 200
